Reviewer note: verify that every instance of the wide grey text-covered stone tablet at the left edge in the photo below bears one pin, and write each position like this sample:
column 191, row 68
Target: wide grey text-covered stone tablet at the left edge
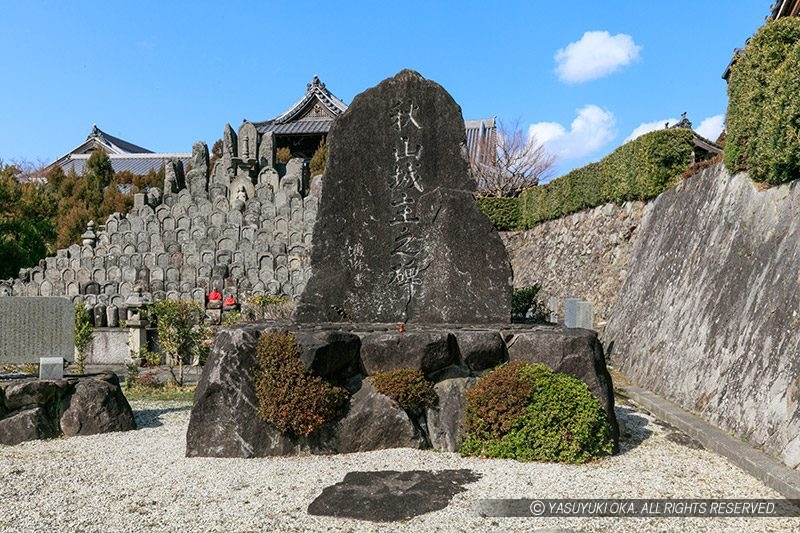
column 34, row 327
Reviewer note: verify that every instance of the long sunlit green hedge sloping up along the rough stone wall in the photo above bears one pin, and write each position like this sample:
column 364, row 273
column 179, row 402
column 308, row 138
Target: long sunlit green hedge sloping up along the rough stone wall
column 638, row 170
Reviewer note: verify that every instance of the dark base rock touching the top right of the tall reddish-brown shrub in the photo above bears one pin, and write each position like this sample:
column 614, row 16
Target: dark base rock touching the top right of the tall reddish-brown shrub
column 328, row 353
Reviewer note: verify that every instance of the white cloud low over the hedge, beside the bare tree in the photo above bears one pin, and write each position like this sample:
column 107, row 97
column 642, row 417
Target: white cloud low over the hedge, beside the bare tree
column 592, row 129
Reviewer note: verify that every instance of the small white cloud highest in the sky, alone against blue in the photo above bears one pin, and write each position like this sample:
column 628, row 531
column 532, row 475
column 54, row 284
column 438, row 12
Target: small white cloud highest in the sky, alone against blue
column 595, row 55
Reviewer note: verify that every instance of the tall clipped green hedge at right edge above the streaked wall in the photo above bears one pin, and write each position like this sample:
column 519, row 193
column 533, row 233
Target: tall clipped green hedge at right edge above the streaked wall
column 763, row 120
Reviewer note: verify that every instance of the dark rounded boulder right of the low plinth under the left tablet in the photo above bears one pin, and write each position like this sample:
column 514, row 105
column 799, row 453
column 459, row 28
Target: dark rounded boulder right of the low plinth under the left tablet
column 96, row 406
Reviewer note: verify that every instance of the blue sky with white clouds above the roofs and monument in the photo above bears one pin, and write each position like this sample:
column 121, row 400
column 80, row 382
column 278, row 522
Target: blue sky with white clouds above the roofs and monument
column 582, row 75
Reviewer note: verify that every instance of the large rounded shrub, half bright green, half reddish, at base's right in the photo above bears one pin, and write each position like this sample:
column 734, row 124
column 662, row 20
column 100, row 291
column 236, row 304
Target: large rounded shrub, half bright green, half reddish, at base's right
column 527, row 412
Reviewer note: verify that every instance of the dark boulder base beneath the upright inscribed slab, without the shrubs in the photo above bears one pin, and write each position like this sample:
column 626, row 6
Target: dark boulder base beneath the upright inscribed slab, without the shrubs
column 224, row 421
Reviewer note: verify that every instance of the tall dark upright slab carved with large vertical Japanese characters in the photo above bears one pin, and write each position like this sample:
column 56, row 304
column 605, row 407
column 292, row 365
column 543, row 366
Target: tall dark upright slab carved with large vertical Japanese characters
column 413, row 245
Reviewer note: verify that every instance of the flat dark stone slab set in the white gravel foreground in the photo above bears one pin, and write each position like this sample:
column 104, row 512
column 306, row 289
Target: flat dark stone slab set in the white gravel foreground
column 390, row 496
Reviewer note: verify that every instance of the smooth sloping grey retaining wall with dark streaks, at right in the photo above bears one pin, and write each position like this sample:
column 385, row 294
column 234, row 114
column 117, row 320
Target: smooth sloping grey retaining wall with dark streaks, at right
column 710, row 313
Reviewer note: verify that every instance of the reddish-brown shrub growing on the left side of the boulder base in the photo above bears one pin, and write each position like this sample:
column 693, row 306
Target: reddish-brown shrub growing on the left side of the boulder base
column 289, row 396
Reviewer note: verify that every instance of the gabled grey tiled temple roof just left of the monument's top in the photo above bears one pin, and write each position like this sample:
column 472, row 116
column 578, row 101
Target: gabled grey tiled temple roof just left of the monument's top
column 313, row 113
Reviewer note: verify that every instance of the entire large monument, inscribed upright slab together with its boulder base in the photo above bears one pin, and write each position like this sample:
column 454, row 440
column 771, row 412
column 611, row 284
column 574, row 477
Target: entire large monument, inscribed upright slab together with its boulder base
column 406, row 272
